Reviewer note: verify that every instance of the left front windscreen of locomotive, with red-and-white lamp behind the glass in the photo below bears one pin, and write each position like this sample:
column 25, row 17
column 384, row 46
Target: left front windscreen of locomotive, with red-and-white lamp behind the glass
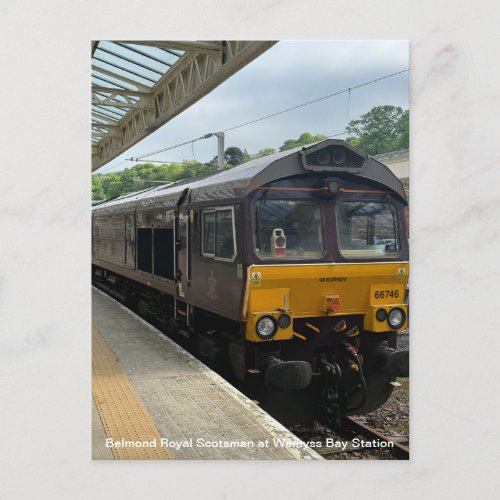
column 288, row 229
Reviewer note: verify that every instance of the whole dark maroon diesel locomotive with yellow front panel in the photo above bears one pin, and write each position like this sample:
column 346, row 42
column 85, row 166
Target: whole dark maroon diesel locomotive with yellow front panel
column 288, row 274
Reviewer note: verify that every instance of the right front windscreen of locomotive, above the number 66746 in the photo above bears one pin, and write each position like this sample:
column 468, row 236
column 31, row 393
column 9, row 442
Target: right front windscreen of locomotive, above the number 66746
column 367, row 229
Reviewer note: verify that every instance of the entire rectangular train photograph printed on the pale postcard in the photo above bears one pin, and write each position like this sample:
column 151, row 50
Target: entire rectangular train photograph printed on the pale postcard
column 250, row 250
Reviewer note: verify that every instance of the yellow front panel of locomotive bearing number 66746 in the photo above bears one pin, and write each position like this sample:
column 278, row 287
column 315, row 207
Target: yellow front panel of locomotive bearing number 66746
column 319, row 290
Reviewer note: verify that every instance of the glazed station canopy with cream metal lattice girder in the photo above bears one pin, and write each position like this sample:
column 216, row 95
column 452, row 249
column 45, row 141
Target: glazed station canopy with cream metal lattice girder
column 138, row 86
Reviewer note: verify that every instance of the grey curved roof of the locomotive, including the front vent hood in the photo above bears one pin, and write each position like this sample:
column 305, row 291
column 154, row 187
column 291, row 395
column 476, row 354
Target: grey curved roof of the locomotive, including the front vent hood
column 239, row 181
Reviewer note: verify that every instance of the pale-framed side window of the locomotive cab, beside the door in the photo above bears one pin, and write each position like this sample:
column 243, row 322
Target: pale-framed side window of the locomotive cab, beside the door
column 218, row 233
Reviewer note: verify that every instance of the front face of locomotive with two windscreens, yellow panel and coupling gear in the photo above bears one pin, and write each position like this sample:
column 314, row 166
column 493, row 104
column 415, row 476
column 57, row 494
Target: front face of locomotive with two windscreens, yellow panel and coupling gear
column 340, row 282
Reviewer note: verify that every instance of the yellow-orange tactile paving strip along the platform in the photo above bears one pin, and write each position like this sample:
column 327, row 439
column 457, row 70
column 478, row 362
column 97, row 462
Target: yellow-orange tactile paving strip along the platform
column 121, row 411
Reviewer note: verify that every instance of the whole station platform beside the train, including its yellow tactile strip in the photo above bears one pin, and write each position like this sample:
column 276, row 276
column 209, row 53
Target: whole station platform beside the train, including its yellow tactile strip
column 152, row 400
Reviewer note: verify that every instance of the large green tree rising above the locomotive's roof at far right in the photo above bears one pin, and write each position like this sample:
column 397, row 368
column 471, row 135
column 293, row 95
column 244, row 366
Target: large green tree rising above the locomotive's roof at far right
column 382, row 129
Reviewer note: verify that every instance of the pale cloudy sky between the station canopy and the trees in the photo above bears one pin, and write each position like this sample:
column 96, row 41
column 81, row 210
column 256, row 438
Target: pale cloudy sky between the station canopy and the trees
column 288, row 74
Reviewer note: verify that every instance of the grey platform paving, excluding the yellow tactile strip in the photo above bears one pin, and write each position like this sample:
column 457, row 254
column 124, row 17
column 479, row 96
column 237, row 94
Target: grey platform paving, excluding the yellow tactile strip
column 197, row 413
